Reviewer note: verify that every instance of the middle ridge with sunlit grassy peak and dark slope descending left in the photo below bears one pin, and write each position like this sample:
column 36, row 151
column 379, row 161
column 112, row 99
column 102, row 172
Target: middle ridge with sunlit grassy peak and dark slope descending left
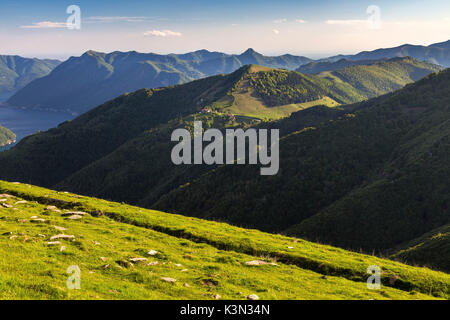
column 58, row 157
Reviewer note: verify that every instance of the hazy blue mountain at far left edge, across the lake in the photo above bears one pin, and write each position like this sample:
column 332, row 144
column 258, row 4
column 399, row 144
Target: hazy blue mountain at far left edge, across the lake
column 16, row 72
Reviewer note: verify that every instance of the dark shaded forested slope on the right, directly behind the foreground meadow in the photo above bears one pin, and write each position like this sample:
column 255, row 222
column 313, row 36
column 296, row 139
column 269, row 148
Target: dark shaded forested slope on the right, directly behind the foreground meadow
column 375, row 177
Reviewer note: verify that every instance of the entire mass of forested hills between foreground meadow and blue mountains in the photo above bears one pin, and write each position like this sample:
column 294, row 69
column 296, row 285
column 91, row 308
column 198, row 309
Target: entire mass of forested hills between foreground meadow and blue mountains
column 379, row 162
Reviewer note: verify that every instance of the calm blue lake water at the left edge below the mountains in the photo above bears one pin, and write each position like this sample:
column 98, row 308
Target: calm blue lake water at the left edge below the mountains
column 25, row 122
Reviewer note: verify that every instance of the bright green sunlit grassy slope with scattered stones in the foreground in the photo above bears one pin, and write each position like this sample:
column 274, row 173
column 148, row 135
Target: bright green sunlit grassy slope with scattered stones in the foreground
column 127, row 252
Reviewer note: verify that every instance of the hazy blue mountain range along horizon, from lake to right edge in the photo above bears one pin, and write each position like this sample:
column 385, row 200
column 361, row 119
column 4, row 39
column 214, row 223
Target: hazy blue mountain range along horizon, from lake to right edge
column 81, row 83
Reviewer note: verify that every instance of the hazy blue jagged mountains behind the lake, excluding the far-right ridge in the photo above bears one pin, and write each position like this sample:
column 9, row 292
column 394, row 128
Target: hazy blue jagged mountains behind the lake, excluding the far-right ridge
column 81, row 83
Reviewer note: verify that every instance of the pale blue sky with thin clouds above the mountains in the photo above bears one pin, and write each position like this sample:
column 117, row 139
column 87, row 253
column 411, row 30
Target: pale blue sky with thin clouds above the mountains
column 312, row 28
